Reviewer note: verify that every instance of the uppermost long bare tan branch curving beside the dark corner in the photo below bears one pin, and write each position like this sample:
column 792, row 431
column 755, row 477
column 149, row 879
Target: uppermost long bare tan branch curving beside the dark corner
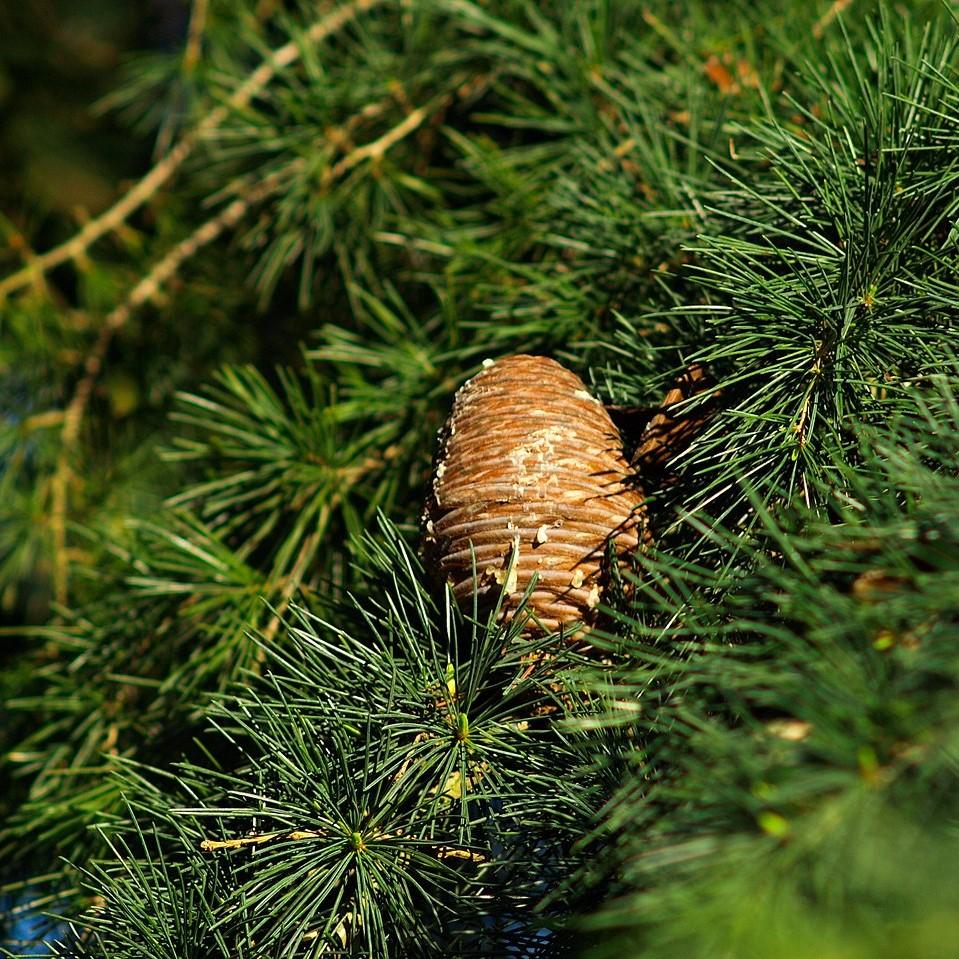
column 108, row 221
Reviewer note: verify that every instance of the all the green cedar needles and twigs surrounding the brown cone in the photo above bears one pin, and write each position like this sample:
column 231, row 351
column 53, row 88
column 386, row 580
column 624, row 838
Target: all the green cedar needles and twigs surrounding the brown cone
column 238, row 720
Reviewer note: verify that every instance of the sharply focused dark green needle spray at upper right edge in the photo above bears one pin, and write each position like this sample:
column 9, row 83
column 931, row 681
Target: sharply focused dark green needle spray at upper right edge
column 823, row 270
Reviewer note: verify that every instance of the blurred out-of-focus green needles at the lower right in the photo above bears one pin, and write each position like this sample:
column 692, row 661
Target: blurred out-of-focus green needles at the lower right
column 787, row 769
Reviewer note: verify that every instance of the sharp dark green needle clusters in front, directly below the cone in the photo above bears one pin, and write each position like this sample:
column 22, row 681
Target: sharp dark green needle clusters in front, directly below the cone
column 385, row 792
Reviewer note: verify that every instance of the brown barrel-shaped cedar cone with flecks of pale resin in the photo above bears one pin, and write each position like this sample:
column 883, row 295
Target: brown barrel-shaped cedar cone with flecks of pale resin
column 530, row 479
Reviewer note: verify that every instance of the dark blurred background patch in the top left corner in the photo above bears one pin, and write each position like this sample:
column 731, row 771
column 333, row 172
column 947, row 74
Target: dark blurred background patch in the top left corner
column 60, row 157
